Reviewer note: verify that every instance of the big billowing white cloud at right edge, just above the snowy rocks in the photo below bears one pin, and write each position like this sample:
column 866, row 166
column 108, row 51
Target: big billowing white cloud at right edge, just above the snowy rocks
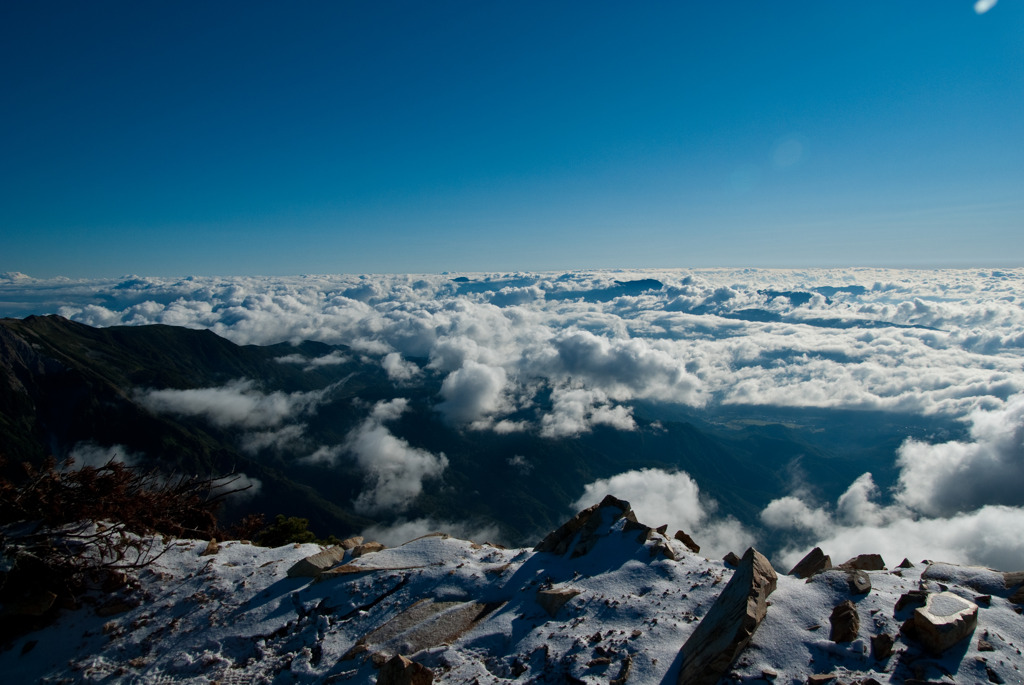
column 959, row 501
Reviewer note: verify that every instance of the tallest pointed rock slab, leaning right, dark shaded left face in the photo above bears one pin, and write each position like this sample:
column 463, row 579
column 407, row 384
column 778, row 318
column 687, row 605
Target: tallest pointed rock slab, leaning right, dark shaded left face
column 731, row 623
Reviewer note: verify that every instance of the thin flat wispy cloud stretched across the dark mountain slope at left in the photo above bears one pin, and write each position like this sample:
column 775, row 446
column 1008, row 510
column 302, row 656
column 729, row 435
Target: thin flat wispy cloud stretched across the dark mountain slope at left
column 238, row 404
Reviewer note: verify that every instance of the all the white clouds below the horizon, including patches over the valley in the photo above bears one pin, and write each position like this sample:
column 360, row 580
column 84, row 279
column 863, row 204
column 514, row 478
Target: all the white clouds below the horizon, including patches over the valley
column 945, row 344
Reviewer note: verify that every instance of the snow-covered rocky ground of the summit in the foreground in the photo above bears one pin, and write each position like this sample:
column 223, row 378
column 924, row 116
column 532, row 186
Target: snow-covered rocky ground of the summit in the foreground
column 236, row 618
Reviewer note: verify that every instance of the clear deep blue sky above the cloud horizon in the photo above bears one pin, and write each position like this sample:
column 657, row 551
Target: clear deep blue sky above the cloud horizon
column 265, row 139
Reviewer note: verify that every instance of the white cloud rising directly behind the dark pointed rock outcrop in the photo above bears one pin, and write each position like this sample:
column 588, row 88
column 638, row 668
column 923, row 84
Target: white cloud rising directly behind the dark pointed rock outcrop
column 660, row 497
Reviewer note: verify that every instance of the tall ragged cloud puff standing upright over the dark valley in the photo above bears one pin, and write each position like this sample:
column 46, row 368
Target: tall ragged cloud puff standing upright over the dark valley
column 395, row 469
